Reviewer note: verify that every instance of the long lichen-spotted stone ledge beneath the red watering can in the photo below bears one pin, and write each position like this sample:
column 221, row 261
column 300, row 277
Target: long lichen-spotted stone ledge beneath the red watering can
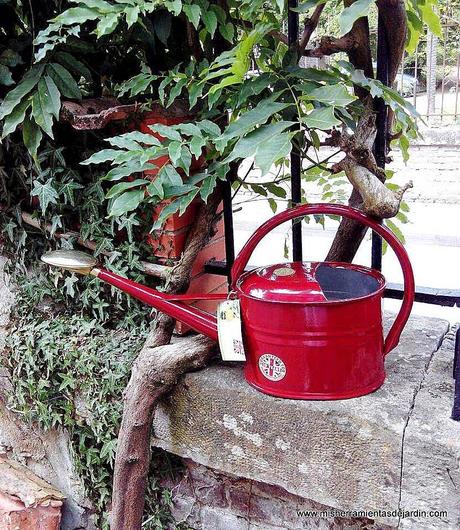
column 342, row 454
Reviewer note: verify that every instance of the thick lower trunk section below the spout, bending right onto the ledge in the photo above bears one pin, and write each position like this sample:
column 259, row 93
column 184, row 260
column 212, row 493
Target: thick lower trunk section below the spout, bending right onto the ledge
column 155, row 372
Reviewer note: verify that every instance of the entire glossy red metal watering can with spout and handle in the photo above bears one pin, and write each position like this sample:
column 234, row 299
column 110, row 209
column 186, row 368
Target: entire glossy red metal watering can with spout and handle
column 311, row 330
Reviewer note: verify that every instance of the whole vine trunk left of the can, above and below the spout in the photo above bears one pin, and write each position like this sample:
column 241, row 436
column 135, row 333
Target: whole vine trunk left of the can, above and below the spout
column 155, row 371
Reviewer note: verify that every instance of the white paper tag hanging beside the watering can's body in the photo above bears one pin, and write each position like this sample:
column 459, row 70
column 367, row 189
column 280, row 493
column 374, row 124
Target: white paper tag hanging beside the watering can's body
column 229, row 330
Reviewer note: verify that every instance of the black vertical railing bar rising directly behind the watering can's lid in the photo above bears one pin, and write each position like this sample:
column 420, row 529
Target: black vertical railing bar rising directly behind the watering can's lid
column 296, row 187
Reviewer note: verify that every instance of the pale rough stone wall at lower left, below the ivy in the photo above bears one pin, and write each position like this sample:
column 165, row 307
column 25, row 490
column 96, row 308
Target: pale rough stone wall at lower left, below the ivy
column 46, row 454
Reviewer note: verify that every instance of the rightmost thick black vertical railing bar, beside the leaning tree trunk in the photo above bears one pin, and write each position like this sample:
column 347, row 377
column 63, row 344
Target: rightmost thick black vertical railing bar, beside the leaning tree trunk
column 380, row 145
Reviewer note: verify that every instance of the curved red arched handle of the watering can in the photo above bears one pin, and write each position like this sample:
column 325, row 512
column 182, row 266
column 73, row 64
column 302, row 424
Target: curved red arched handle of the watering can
column 351, row 213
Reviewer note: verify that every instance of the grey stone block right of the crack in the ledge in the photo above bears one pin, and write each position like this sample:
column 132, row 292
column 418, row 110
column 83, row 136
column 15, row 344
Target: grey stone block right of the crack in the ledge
column 431, row 451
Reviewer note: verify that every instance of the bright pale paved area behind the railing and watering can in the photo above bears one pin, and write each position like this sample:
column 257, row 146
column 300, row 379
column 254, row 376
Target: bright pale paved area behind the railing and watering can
column 433, row 233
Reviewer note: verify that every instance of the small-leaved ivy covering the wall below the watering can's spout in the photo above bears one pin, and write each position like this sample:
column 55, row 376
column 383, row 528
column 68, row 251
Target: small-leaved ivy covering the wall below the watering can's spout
column 69, row 371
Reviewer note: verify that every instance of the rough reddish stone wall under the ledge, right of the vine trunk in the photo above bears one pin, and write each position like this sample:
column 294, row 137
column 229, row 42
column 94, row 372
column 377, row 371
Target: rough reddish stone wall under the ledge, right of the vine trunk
column 207, row 500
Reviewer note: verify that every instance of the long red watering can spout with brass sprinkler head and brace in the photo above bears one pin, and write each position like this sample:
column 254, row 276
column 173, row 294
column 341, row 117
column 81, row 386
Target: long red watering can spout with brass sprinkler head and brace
column 173, row 305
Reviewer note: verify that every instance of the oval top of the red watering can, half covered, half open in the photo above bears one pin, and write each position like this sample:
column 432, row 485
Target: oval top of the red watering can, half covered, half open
column 311, row 282
